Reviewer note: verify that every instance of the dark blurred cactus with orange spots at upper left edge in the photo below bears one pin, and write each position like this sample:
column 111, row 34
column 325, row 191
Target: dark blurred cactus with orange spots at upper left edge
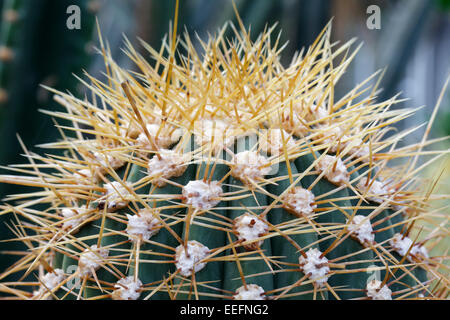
column 42, row 51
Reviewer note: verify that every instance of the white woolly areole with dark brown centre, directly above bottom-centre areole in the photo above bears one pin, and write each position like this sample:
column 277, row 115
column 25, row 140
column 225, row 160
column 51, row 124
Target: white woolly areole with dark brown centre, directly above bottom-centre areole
column 248, row 227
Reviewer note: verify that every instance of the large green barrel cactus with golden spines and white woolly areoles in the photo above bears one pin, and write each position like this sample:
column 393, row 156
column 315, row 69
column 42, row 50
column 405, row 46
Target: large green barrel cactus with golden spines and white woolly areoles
column 220, row 173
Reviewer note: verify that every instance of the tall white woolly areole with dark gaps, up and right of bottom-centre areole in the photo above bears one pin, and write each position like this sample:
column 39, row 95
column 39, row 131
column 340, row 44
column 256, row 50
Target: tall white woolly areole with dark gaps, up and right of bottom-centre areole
column 315, row 267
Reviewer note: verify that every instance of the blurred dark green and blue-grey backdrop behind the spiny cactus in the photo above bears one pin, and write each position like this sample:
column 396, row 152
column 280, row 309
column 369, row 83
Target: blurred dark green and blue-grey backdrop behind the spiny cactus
column 36, row 47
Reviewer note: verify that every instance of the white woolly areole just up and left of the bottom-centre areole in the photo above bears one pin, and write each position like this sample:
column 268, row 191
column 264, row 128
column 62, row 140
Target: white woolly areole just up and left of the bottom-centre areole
column 189, row 262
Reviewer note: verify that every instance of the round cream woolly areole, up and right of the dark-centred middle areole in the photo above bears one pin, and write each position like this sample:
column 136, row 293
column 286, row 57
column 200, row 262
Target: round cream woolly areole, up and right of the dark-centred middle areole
column 299, row 201
